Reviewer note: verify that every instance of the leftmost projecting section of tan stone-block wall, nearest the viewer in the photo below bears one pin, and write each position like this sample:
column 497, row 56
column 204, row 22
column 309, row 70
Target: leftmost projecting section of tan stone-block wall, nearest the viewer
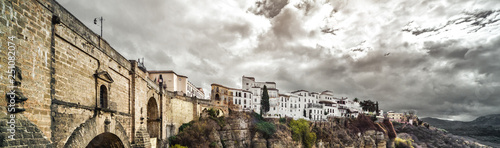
column 29, row 24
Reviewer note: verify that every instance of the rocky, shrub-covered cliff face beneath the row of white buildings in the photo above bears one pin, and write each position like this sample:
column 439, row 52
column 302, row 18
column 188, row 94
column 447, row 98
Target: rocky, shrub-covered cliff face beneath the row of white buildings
column 244, row 130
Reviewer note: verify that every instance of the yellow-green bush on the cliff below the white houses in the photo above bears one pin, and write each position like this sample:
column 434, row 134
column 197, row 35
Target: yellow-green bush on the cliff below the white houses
column 301, row 132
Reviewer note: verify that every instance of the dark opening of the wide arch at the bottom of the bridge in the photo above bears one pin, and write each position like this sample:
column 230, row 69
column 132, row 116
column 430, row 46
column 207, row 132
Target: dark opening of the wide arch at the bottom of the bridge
column 105, row 140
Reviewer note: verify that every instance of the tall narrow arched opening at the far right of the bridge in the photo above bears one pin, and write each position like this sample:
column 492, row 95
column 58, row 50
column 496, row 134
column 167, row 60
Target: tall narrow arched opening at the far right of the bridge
column 153, row 119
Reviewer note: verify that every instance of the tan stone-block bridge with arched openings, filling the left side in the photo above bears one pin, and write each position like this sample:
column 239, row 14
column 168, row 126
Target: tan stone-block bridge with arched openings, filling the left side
column 73, row 89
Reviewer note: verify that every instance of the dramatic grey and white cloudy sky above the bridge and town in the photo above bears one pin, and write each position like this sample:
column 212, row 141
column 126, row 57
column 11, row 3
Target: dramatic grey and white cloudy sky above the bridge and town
column 438, row 57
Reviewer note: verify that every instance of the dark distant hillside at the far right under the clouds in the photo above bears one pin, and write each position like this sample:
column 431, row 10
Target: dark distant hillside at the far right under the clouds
column 486, row 129
